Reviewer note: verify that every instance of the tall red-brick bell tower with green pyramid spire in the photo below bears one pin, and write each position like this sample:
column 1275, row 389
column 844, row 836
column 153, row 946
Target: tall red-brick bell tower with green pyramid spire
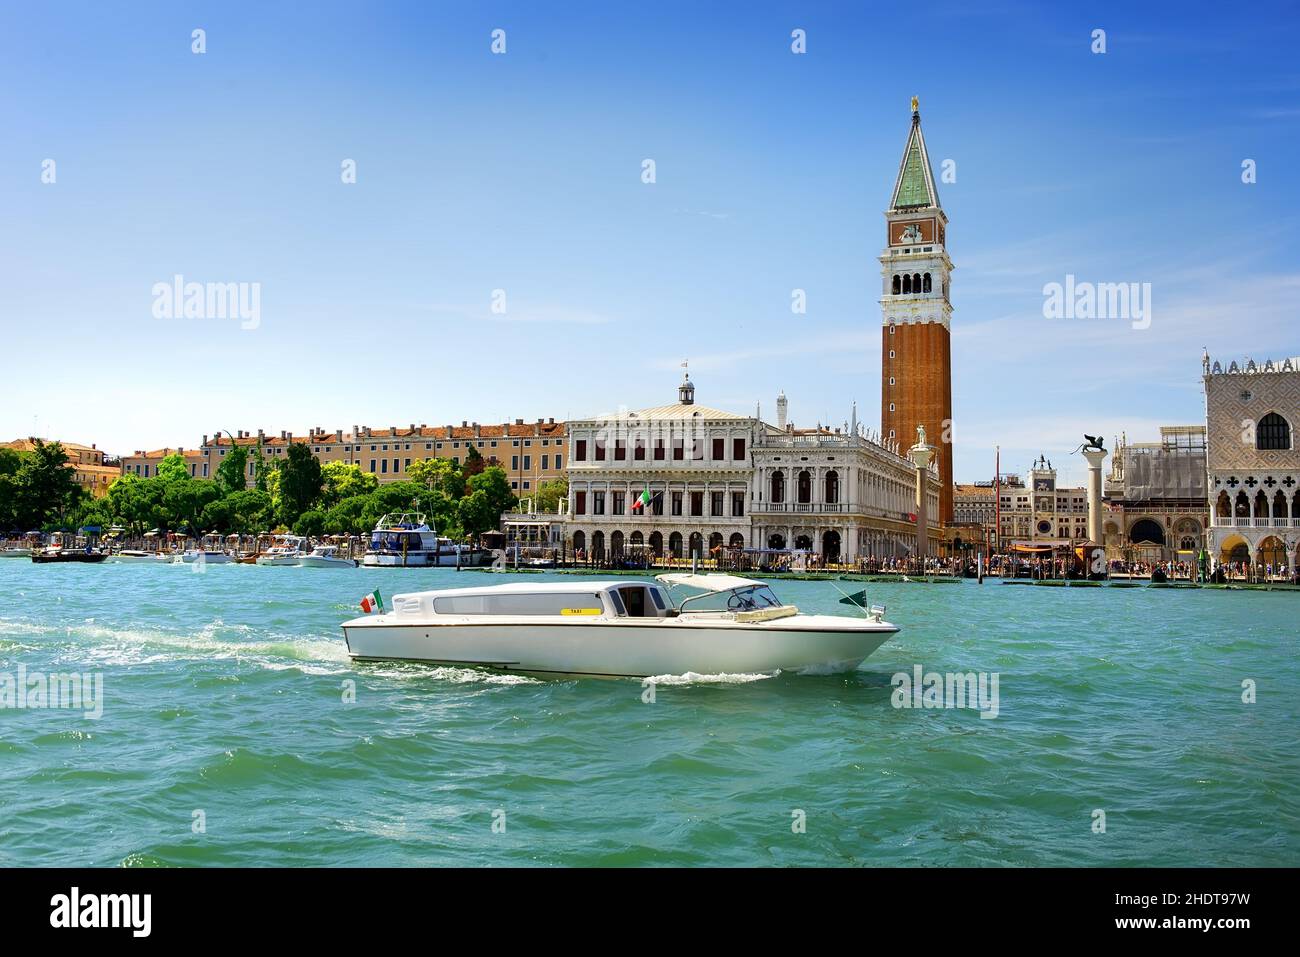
column 916, row 350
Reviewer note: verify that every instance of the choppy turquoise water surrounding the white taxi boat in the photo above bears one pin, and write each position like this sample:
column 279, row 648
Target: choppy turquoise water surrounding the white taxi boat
column 224, row 694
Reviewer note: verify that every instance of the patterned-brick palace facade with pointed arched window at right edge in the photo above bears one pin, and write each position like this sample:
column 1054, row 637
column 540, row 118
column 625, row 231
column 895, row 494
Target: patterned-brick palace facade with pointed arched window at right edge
column 1254, row 467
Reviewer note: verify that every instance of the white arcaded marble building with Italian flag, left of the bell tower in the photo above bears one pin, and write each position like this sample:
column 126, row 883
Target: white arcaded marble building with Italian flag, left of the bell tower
column 721, row 480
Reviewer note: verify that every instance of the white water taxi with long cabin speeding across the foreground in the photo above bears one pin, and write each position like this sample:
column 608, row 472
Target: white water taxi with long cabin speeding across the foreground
column 617, row 629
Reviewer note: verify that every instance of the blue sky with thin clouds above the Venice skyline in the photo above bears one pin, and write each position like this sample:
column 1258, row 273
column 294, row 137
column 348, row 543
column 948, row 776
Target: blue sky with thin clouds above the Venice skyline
column 522, row 172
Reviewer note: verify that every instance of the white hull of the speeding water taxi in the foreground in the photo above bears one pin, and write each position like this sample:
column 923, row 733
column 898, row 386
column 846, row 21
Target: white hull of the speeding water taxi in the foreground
column 623, row 649
